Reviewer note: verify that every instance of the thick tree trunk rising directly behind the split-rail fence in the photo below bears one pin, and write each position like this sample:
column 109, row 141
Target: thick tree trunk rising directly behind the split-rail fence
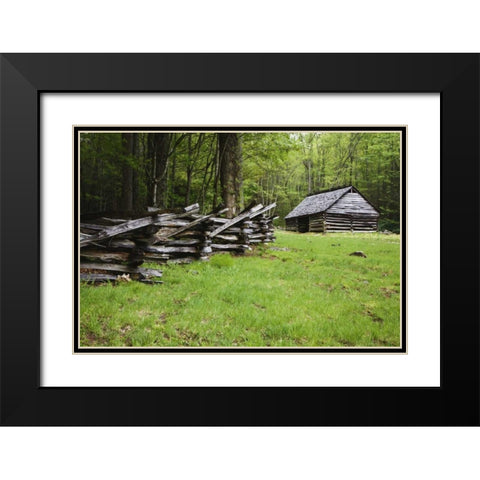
column 230, row 171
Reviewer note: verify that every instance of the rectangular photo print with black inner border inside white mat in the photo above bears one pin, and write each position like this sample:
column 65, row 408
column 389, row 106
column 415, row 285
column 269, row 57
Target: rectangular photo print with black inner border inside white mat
column 242, row 239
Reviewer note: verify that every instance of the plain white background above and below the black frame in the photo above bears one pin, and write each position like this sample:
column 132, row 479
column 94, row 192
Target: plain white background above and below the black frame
column 248, row 26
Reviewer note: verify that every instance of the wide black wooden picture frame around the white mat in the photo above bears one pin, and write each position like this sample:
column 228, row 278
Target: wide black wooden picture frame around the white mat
column 23, row 77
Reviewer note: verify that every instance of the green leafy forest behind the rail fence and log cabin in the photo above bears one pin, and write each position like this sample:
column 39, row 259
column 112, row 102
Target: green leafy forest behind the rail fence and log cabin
column 124, row 172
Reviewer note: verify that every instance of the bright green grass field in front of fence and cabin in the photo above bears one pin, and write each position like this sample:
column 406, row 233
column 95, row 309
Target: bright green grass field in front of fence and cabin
column 312, row 294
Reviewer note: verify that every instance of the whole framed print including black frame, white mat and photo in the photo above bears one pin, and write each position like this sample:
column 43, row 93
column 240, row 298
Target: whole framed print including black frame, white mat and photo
column 239, row 239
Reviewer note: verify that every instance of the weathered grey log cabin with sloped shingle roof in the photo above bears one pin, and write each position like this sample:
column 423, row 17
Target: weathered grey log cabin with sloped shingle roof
column 340, row 210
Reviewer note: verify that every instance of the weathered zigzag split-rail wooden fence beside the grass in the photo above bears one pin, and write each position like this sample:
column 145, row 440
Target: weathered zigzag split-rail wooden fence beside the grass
column 113, row 249
